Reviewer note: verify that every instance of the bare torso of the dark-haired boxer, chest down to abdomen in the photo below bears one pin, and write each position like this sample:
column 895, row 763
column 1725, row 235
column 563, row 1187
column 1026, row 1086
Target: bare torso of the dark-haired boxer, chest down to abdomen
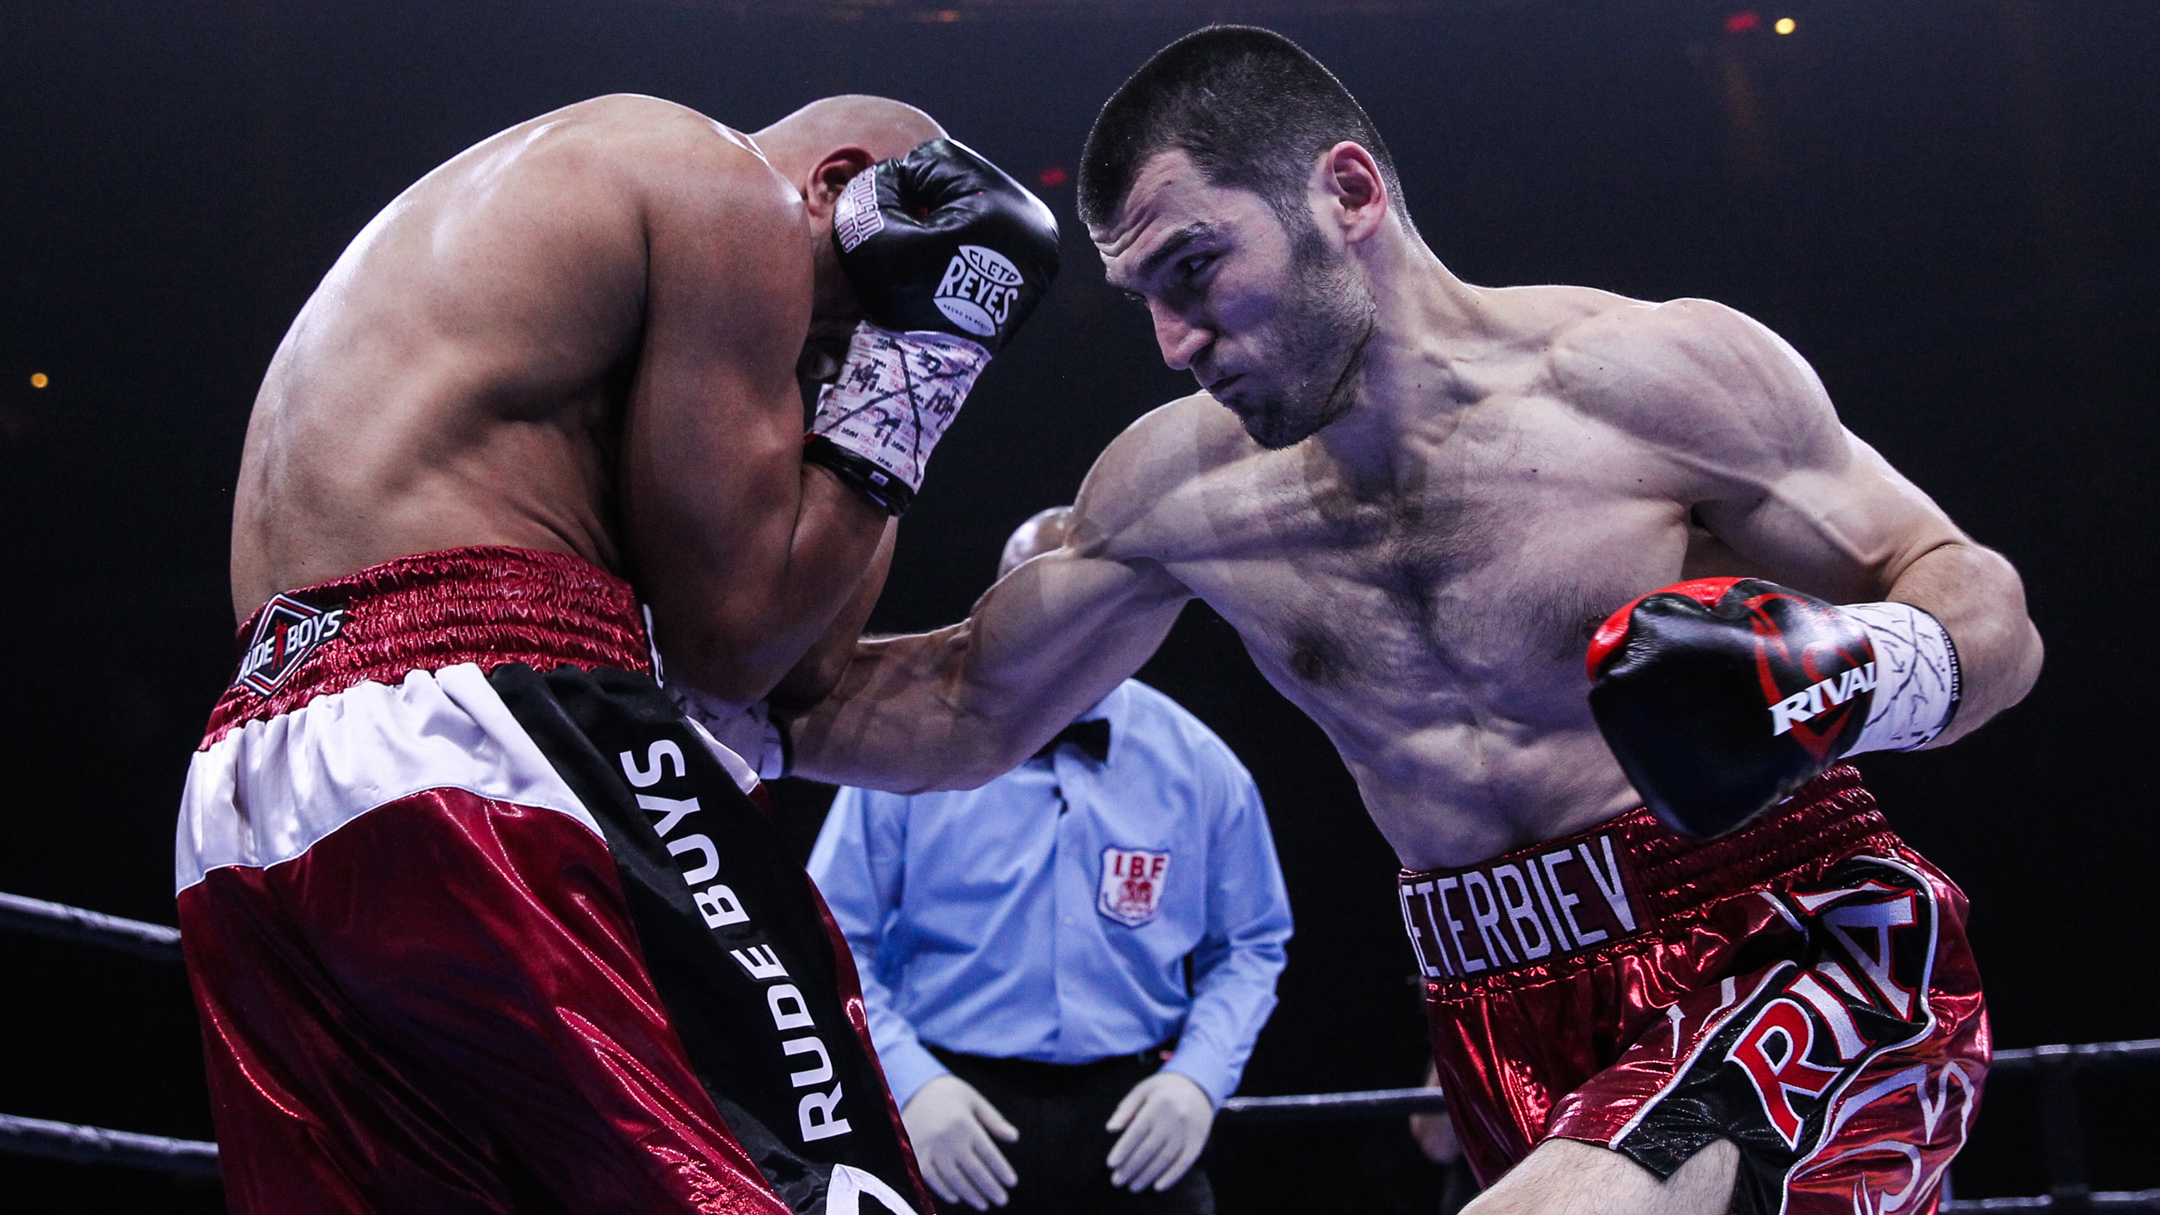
column 1435, row 622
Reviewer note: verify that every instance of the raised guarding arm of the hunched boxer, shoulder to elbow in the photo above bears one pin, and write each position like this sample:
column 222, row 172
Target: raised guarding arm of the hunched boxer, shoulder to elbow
column 744, row 552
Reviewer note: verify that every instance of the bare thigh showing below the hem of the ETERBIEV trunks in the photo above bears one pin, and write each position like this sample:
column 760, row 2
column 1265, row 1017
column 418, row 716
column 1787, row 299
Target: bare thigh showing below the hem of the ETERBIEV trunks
column 1565, row 1177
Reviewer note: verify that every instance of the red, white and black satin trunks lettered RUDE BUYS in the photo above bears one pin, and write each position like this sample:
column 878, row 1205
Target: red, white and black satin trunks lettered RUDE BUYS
column 476, row 922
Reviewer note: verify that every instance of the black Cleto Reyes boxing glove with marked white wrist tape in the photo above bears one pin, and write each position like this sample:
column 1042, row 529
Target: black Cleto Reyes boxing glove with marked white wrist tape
column 947, row 256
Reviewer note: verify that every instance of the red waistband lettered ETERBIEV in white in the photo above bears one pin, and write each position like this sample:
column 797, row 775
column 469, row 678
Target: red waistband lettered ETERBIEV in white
column 1619, row 879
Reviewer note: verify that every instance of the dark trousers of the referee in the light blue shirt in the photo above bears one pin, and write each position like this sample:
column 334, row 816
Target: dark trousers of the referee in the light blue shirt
column 1064, row 1151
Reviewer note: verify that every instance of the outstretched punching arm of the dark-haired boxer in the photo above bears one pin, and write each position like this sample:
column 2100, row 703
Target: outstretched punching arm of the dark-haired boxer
column 962, row 706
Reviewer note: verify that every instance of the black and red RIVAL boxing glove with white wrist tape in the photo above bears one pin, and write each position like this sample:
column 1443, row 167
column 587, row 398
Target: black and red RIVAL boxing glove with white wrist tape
column 1723, row 695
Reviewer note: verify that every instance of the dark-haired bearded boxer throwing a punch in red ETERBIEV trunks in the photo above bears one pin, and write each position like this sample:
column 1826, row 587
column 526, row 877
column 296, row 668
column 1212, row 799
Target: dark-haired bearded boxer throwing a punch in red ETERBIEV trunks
column 1422, row 503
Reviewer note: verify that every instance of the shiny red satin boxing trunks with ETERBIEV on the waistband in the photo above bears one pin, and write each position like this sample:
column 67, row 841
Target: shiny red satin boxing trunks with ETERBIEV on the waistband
column 1800, row 987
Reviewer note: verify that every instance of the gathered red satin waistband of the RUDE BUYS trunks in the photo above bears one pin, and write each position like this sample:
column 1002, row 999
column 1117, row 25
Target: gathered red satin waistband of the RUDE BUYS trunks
column 487, row 606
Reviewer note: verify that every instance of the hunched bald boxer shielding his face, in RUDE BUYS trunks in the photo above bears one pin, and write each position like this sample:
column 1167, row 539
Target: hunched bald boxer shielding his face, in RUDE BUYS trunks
column 476, row 920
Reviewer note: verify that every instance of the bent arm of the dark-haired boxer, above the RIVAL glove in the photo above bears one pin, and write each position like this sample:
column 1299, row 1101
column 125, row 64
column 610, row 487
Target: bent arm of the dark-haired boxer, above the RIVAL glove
column 1787, row 488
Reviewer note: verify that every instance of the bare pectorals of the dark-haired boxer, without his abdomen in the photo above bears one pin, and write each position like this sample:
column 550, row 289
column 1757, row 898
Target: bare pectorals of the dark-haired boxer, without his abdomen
column 1485, row 568
